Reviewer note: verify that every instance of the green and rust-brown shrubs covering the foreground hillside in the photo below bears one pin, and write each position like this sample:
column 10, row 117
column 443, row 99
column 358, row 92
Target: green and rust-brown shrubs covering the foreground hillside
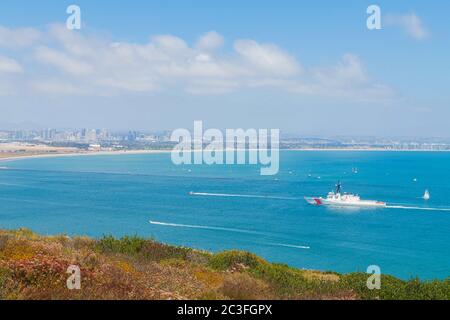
column 34, row 267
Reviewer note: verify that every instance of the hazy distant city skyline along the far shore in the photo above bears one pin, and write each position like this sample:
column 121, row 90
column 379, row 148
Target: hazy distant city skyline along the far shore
column 103, row 139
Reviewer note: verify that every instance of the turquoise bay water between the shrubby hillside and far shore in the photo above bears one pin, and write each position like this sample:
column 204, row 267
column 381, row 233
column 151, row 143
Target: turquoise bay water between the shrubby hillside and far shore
column 120, row 194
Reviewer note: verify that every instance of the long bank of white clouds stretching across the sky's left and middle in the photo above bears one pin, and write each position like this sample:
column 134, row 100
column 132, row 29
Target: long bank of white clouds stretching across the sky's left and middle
column 69, row 62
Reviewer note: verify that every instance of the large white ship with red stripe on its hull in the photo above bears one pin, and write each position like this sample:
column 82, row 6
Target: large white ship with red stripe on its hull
column 338, row 198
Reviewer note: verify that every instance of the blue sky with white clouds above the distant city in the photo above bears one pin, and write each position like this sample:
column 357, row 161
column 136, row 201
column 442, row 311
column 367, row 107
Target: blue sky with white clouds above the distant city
column 305, row 67
